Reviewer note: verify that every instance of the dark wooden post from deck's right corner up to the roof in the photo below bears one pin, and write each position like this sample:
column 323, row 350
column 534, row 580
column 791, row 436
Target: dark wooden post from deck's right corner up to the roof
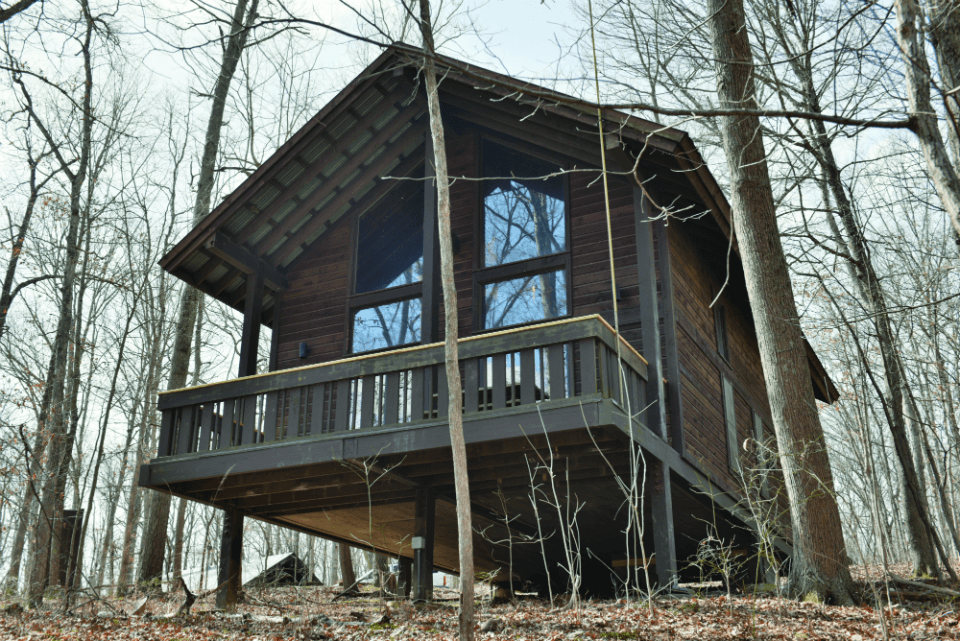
column 656, row 416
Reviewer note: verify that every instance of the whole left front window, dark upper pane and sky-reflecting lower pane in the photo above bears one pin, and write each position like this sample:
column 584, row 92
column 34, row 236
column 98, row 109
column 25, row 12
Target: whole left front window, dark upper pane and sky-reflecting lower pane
column 386, row 308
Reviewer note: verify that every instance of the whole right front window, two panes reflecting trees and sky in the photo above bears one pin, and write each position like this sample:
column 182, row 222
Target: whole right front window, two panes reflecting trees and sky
column 524, row 275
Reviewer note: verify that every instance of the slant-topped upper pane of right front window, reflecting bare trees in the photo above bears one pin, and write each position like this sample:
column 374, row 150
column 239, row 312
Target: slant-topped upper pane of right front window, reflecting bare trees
column 524, row 217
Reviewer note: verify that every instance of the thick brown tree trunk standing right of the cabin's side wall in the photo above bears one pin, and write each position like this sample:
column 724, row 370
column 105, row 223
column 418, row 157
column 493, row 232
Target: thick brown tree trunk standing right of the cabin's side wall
column 819, row 556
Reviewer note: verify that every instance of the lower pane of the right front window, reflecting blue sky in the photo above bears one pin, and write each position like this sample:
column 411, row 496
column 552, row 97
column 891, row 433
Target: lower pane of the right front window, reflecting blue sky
column 525, row 300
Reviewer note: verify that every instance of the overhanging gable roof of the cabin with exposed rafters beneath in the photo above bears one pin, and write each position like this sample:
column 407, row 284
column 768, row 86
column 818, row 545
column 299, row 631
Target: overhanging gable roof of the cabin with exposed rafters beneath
column 376, row 127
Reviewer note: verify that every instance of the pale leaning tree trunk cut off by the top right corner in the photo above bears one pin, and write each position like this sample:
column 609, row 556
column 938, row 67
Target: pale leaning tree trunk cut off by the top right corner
column 917, row 76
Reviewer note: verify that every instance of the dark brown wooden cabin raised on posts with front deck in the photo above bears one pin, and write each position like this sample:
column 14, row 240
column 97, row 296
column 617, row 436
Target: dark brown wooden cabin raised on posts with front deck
column 333, row 244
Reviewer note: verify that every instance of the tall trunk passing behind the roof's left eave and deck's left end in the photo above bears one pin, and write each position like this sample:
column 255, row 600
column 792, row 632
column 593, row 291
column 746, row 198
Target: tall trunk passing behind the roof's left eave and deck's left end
column 155, row 530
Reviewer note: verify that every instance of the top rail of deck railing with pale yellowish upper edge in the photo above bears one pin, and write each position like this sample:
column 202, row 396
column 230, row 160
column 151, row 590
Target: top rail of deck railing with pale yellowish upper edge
column 524, row 337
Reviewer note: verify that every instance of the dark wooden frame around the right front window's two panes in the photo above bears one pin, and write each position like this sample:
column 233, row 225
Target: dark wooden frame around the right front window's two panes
column 483, row 276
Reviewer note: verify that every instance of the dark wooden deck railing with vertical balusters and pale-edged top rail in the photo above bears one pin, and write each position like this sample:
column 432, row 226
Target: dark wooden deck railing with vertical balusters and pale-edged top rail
column 507, row 369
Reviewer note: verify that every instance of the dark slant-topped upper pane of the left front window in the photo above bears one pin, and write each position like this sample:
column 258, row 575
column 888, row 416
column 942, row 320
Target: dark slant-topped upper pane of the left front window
column 390, row 243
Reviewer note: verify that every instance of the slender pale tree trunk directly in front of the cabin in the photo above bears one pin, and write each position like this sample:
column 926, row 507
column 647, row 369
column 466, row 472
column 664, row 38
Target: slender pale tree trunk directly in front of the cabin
column 451, row 356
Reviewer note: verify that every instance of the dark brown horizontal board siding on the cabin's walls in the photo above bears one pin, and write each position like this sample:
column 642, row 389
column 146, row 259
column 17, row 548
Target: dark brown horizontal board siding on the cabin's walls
column 314, row 309
